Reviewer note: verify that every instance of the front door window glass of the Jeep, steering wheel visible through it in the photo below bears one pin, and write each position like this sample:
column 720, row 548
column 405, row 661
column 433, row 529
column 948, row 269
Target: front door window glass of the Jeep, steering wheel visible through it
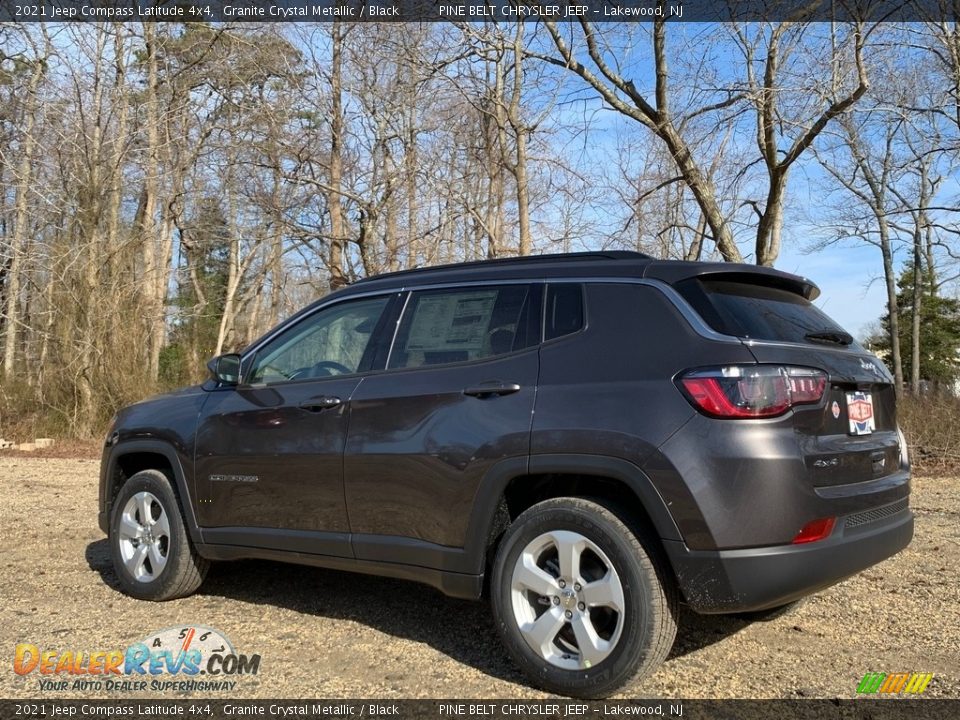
column 329, row 342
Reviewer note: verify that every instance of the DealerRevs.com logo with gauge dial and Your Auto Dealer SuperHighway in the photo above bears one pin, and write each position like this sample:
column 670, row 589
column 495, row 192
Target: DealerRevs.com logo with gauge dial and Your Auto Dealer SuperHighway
column 179, row 659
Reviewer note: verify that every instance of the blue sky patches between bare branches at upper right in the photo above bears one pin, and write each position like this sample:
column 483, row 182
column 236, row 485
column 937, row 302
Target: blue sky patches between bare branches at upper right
column 849, row 275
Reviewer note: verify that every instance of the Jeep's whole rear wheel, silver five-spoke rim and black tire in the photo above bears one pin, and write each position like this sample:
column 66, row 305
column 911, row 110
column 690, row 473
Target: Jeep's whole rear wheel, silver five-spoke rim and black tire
column 582, row 605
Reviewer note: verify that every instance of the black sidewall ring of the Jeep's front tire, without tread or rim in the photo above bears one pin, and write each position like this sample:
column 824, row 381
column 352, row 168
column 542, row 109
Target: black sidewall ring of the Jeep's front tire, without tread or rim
column 157, row 484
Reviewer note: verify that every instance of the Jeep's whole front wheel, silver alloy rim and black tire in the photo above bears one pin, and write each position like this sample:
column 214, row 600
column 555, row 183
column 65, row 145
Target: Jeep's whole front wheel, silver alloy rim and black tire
column 152, row 554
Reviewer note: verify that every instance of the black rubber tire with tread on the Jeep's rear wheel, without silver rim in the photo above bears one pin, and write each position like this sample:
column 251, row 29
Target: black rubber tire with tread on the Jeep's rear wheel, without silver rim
column 650, row 598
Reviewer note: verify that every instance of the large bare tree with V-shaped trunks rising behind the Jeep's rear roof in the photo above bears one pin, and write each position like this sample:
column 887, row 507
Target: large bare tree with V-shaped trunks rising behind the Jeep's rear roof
column 677, row 105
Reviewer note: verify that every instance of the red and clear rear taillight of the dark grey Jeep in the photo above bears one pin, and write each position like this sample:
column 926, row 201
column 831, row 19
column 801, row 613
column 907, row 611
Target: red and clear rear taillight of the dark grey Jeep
column 752, row 391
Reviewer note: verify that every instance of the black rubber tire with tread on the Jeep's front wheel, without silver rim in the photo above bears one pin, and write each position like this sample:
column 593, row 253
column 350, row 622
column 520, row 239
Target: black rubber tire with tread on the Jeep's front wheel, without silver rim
column 184, row 569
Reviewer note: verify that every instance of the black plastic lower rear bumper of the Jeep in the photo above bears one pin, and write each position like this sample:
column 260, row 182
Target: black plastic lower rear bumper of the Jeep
column 724, row 581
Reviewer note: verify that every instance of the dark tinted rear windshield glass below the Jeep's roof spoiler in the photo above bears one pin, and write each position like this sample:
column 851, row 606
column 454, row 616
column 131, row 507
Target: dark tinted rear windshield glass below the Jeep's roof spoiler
column 761, row 313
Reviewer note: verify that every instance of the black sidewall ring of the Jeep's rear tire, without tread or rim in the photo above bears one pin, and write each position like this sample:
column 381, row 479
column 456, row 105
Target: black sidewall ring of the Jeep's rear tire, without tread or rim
column 630, row 651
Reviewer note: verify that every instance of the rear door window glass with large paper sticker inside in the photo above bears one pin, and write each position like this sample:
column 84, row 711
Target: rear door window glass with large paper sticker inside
column 458, row 325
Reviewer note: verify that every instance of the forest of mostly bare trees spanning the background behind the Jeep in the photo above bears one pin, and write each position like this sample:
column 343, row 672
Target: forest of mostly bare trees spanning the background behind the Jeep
column 168, row 192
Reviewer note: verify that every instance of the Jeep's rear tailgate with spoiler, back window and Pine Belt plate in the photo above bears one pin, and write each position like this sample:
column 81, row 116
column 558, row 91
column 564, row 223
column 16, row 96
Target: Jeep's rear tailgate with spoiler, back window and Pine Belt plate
column 851, row 435
